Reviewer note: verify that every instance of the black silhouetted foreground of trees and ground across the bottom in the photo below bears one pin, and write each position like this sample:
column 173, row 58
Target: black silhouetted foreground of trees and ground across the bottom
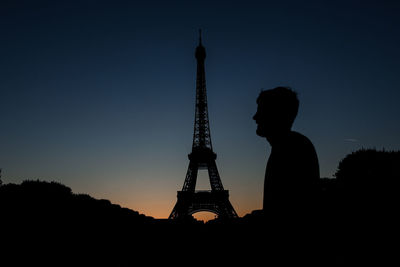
column 45, row 223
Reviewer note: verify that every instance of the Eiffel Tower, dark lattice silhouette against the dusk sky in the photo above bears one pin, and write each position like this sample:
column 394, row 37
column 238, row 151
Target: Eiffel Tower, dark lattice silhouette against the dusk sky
column 202, row 157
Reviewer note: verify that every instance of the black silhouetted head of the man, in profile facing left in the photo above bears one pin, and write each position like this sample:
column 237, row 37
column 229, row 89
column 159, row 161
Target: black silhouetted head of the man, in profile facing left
column 277, row 109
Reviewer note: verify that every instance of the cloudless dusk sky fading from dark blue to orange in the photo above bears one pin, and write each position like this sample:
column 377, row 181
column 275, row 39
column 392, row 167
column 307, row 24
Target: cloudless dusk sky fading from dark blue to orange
column 99, row 95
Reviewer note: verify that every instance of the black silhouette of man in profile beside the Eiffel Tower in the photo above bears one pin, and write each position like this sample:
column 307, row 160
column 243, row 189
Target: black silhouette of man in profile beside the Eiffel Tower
column 292, row 171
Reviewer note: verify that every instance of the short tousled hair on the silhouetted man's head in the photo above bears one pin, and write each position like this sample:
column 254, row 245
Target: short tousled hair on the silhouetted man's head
column 282, row 100
